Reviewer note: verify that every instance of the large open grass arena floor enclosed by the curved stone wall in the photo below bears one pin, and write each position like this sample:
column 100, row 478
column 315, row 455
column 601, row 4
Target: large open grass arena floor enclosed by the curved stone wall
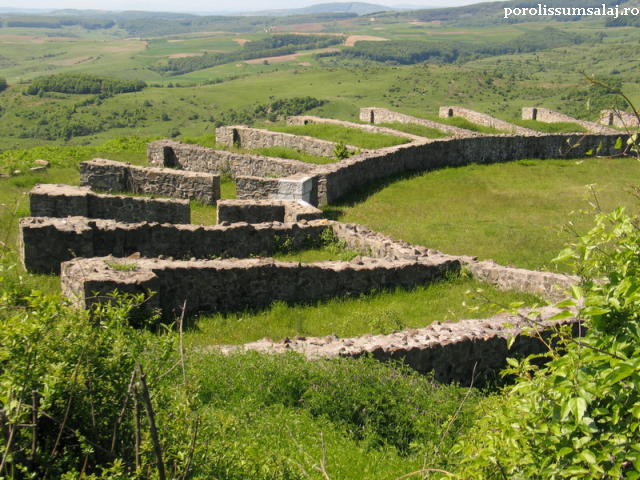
column 511, row 212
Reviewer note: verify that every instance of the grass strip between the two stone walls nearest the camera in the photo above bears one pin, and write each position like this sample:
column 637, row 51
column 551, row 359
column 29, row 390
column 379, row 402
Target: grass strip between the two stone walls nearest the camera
column 381, row 312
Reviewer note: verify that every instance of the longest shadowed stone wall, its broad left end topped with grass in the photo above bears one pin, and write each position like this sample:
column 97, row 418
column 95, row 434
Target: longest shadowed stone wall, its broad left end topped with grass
column 218, row 285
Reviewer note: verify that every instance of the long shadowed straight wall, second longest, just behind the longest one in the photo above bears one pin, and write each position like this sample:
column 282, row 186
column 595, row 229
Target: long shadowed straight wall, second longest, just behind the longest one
column 47, row 242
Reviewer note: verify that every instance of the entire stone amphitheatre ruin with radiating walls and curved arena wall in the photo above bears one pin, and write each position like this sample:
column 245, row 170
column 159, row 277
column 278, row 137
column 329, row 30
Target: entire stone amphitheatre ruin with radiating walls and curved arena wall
column 207, row 268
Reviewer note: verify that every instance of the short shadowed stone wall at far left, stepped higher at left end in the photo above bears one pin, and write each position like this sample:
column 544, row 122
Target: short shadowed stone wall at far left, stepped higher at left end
column 52, row 200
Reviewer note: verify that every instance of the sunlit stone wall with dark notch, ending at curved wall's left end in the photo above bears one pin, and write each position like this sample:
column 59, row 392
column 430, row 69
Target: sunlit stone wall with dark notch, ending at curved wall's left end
column 194, row 158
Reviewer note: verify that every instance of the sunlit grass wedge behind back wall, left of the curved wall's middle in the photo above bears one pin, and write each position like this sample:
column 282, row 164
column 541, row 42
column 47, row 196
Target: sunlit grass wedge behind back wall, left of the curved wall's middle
column 348, row 136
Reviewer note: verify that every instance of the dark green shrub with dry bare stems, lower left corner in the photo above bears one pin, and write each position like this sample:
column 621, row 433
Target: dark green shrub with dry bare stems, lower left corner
column 81, row 373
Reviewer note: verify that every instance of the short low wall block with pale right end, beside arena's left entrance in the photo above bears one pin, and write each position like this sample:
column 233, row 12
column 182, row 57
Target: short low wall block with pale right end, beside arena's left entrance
column 260, row 211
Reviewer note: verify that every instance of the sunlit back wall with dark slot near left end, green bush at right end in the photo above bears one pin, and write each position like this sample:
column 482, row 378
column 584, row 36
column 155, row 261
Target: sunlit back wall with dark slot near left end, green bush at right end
column 246, row 137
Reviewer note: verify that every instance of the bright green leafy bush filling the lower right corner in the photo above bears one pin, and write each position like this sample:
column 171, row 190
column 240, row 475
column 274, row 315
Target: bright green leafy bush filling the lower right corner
column 578, row 416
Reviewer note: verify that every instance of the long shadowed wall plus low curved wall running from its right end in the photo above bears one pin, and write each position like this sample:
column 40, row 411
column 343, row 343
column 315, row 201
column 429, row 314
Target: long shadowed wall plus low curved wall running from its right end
column 47, row 242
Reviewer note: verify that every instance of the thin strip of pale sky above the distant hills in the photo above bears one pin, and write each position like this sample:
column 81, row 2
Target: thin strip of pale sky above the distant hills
column 205, row 6
